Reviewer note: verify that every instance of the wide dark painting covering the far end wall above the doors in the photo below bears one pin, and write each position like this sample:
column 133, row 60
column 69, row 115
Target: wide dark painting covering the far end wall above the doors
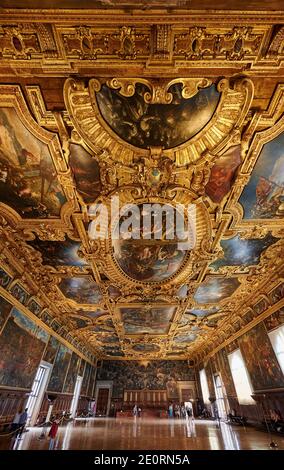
column 154, row 375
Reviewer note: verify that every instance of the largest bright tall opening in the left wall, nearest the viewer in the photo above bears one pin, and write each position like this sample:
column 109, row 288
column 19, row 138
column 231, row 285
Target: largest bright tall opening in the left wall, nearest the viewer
column 38, row 388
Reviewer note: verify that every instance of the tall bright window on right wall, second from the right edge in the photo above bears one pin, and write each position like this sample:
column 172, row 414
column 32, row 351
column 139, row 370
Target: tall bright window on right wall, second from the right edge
column 241, row 378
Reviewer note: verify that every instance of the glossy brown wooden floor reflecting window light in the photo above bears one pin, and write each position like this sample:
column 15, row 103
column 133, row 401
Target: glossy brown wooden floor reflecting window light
column 139, row 433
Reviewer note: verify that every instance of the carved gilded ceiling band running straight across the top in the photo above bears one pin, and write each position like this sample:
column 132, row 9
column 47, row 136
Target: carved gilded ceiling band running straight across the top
column 177, row 40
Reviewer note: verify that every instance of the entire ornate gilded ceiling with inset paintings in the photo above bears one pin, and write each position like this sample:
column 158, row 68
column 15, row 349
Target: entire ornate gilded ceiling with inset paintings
column 176, row 113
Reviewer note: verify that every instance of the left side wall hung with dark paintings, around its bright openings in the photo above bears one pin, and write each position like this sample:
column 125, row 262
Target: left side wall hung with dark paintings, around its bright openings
column 23, row 345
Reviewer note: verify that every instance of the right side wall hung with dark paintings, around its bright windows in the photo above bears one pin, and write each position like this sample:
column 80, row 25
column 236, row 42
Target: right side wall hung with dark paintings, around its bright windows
column 264, row 371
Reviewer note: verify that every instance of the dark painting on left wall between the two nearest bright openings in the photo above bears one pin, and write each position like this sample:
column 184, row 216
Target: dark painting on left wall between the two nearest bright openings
column 59, row 370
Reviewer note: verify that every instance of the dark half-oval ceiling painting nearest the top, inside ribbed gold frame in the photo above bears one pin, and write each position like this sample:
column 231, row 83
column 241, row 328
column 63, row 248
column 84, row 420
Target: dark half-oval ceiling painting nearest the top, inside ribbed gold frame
column 147, row 125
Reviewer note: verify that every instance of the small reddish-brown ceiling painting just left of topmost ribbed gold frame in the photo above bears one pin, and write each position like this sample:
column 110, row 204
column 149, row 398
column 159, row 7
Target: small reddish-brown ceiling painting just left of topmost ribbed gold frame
column 86, row 173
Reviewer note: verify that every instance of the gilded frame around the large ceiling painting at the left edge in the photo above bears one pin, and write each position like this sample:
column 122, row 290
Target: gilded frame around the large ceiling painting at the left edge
column 52, row 228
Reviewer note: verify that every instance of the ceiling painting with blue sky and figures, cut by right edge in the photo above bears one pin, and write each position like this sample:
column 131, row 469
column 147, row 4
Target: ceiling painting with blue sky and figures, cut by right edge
column 263, row 197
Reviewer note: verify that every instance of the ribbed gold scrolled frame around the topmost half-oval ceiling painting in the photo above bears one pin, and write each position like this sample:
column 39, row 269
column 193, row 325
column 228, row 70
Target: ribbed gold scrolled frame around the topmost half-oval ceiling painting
column 235, row 101
